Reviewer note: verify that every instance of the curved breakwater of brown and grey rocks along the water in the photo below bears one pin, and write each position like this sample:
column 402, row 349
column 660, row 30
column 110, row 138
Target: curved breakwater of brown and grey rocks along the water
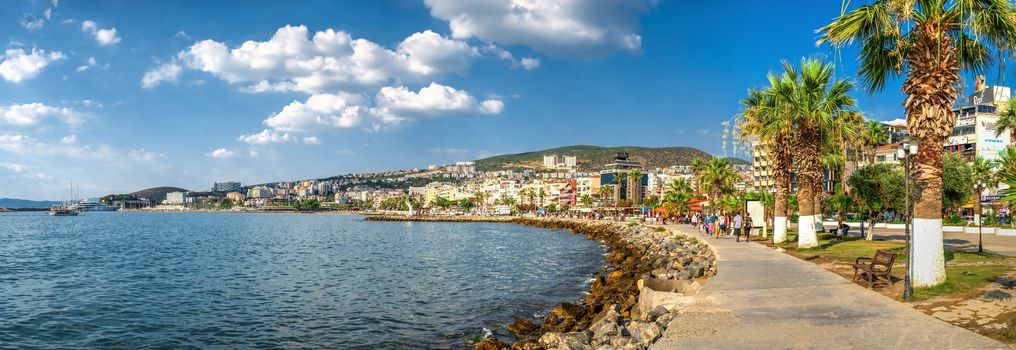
column 651, row 275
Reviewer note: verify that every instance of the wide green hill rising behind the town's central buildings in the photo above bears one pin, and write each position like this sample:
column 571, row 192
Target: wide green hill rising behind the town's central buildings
column 592, row 158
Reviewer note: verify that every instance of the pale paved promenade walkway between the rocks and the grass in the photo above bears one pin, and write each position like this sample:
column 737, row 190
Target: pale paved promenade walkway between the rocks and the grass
column 764, row 300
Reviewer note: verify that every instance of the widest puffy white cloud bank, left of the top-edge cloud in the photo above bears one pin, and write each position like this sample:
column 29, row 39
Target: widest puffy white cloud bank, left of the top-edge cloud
column 329, row 61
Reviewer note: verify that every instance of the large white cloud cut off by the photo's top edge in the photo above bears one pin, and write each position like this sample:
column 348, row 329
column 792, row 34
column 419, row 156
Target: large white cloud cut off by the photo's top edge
column 560, row 28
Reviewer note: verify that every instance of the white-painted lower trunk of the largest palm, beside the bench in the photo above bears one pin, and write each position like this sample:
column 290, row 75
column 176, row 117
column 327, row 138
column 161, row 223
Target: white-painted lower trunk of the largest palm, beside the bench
column 929, row 258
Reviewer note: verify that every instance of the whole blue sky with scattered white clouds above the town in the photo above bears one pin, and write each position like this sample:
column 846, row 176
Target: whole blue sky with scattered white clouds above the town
column 119, row 96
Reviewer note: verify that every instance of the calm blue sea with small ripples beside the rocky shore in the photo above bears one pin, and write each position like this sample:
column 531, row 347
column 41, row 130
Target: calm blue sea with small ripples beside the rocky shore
column 130, row 280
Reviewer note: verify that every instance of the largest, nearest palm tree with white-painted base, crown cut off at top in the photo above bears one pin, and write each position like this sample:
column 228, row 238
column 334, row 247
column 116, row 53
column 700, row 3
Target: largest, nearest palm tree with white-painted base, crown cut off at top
column 930, row 42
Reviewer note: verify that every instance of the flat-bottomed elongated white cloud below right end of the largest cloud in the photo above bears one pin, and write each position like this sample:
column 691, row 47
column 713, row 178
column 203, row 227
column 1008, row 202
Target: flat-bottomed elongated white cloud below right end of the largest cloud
column 397, row 104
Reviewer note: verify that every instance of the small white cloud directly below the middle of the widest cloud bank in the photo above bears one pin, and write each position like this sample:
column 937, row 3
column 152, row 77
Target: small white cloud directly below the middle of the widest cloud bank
column 338, row 110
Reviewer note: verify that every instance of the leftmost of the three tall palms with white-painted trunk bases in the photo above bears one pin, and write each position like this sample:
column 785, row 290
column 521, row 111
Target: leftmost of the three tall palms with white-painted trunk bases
column 767, row 120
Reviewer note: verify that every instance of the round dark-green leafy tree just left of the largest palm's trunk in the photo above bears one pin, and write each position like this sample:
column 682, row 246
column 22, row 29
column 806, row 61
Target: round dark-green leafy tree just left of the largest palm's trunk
column 877, row 189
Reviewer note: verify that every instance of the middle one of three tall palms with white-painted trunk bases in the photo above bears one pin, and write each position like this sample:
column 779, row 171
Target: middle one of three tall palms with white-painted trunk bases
column 813, row 99
